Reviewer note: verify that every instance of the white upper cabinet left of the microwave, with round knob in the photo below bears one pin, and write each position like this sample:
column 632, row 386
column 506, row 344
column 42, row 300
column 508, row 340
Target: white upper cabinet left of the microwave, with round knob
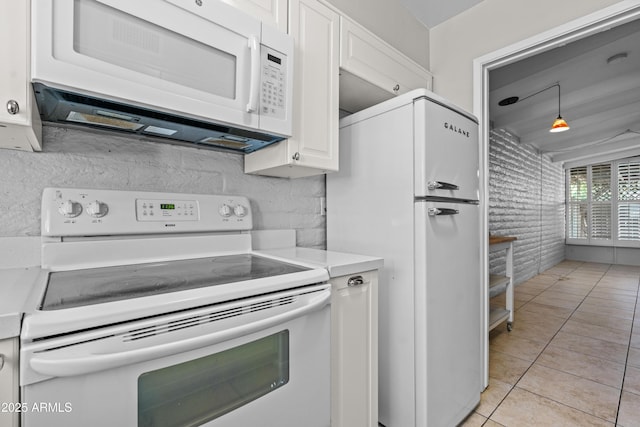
column 20, row 127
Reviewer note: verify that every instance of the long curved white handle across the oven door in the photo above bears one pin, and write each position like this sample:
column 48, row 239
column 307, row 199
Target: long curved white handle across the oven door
column 61, row 363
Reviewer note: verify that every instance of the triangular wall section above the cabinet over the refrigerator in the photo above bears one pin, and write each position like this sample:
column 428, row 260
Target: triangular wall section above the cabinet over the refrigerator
column 390, row 21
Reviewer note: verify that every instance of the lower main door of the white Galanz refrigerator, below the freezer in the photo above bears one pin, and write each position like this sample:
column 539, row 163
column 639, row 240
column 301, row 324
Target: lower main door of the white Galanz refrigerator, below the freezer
column 448, row 312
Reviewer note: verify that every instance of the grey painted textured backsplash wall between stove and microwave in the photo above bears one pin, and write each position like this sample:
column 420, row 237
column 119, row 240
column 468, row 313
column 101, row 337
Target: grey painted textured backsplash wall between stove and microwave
column 90, row 159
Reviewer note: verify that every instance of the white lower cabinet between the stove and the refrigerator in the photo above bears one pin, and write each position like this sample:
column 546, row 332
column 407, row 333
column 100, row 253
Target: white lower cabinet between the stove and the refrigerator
column 354, row 350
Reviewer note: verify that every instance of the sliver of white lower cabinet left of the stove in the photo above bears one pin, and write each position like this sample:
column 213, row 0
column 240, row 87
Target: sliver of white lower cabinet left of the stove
column 9, row 396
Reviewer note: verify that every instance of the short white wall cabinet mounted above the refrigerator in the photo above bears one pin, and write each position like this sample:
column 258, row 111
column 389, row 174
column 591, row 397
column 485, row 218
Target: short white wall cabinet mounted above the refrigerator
column 371, row 71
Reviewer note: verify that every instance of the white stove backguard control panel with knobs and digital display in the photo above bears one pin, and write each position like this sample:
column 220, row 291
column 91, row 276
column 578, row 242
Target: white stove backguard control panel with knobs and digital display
column 84, row 212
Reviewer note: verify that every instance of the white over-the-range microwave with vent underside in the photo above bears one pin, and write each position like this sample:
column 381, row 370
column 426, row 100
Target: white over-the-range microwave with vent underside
column 195, row 71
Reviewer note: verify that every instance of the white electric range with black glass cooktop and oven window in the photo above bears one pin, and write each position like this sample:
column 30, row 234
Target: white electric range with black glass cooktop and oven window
column 152, row 310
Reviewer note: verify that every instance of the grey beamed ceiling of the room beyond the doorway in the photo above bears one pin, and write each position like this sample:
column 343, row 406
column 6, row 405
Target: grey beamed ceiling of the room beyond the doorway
column 599, row 100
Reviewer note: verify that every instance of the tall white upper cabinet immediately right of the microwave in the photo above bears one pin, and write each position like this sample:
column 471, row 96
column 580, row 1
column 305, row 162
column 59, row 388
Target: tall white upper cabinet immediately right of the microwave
column 313, row 148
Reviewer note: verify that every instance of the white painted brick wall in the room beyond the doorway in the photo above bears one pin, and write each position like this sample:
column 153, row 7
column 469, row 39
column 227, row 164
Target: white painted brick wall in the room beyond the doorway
column 526, row 200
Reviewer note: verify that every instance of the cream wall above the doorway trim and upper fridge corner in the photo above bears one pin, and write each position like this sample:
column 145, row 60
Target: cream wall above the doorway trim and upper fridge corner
column 487, row 27
